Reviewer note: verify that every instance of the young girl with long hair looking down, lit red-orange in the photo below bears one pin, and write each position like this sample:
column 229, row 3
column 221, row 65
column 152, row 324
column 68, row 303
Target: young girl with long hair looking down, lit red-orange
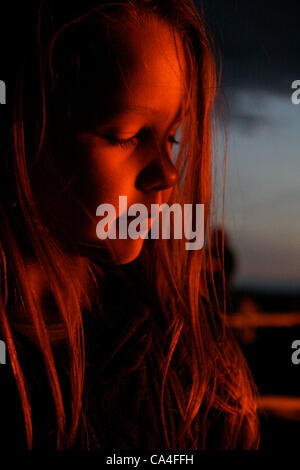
column 113, row 343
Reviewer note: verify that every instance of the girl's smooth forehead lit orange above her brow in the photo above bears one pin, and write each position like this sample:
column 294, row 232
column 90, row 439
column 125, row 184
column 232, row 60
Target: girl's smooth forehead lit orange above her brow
column 150, row 67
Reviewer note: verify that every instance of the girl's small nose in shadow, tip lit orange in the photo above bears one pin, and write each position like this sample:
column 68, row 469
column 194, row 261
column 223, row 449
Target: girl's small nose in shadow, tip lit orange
column 158, row 175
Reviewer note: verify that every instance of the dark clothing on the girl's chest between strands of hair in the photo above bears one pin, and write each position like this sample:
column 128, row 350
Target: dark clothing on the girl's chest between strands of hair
column 121, row 368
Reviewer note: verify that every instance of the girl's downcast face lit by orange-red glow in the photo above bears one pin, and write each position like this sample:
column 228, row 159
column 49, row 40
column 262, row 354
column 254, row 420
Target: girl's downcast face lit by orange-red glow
column 128, row 152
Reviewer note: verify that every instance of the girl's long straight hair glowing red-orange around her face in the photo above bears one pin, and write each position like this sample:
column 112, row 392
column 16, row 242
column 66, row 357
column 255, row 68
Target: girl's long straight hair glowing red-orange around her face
column 200, row 373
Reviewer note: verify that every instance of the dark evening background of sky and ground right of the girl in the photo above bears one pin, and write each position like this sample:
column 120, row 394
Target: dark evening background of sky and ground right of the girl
column 259, row 42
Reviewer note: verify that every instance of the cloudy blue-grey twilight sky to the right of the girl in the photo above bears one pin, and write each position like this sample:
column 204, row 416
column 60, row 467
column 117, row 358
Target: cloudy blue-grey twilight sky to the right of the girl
column 260, row 46
